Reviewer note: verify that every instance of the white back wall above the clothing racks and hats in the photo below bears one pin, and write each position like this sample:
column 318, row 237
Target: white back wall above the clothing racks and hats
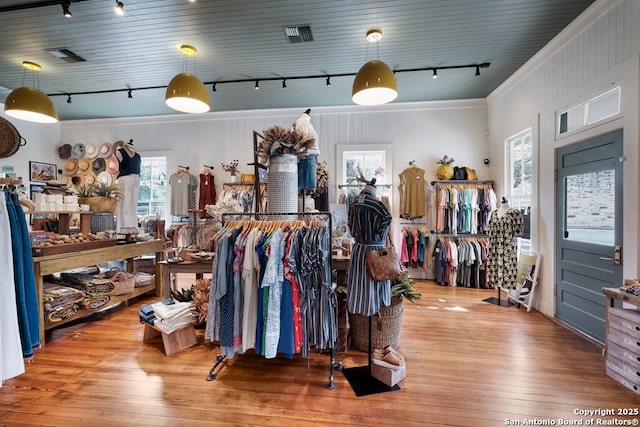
column 423, row 132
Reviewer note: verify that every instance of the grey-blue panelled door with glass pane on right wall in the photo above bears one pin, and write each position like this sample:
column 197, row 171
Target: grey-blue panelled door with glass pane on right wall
column 589, row 230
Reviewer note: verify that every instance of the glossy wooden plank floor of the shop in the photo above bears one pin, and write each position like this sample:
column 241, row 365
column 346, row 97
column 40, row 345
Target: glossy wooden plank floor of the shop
column 469, row 363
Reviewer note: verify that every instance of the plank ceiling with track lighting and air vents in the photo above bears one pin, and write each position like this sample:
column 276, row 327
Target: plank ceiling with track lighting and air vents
column 244, row 40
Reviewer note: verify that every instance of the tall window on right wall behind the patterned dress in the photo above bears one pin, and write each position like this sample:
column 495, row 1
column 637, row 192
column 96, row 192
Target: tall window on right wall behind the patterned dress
column 519, row 150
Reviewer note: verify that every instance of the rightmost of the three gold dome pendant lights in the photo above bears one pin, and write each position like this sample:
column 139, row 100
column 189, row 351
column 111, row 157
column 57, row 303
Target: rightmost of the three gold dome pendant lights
column 375, row 83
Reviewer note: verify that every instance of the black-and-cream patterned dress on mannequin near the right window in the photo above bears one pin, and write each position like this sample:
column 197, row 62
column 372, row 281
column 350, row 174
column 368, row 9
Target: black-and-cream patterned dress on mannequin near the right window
column 503, row 250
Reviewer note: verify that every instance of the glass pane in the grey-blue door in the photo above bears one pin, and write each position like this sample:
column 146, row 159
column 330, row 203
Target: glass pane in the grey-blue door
column 590, row 212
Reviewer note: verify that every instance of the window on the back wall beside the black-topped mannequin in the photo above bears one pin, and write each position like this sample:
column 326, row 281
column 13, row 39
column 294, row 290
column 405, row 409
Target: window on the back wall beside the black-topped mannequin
column 153, row 190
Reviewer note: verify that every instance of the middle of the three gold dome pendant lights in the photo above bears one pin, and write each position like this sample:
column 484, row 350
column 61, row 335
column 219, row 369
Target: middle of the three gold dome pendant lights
column 186, row 92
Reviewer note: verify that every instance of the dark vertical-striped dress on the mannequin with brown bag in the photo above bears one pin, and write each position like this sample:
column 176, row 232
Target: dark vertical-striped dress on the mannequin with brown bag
column 369, row 221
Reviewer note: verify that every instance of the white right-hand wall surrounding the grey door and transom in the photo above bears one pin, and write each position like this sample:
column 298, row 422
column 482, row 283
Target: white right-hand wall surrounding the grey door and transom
column 598, row 50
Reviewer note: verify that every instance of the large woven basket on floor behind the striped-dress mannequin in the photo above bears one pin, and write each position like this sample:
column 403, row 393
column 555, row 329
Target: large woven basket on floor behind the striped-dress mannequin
column 385, row 327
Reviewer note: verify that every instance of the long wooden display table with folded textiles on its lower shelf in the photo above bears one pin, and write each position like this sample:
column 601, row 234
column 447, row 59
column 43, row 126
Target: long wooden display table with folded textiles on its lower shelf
column 49, row 264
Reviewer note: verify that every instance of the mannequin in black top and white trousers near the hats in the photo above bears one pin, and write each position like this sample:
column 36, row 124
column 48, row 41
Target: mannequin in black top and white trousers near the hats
column 128, row 183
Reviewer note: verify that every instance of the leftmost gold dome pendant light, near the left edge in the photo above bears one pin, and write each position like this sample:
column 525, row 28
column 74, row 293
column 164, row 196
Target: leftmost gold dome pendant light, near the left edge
column 30, row 103
